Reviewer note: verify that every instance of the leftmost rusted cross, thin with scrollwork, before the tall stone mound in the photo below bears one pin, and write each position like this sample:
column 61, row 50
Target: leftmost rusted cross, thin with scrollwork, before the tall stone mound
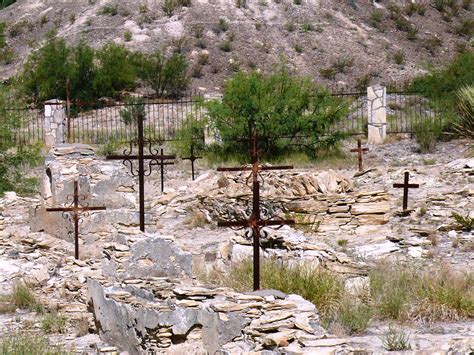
column 76, row 208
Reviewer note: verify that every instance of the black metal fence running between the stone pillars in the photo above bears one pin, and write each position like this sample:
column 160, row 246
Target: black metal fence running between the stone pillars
column 98, row 123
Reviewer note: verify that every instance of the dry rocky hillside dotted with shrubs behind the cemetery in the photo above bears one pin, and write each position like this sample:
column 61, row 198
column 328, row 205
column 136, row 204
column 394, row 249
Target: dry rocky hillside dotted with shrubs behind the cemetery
column 331, row 40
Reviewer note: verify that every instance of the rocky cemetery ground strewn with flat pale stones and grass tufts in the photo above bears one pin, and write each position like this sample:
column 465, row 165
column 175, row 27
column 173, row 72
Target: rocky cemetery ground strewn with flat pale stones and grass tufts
column 378, row 279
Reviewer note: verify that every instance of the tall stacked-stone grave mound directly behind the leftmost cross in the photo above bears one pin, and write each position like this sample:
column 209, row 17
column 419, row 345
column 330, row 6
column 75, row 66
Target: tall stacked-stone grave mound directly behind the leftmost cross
column 99, row 181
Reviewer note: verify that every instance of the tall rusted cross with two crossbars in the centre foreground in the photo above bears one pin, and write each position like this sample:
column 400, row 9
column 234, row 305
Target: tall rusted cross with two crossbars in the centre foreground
column 255, row 222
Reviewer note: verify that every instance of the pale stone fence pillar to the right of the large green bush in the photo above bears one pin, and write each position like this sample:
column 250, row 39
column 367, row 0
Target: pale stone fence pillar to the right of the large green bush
column 377, row 114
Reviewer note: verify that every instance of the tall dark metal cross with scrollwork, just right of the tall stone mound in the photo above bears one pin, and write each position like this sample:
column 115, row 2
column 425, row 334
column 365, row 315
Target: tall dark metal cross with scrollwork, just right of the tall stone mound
column 153, row 157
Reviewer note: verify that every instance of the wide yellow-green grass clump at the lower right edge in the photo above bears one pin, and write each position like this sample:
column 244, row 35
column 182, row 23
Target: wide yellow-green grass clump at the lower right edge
column 407, row 293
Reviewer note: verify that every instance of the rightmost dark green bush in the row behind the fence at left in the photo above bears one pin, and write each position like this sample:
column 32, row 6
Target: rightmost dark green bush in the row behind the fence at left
column 167, row 77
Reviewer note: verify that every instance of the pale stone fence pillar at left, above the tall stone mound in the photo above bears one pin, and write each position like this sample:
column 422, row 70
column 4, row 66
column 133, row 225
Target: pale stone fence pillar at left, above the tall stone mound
column 54, row 122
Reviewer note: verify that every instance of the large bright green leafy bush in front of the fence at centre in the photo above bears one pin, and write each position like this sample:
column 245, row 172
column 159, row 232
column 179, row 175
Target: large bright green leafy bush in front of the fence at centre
column 289, row 113
